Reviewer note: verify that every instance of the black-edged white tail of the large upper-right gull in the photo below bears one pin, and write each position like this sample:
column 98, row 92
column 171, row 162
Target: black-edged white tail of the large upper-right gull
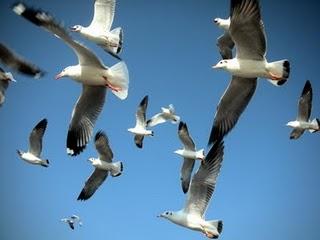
column 279, row 69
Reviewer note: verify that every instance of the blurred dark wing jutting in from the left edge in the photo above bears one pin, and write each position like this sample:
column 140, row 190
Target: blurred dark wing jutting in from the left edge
column 17, row 63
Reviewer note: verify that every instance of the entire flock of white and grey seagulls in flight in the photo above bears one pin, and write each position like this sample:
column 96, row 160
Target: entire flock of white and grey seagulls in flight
column 243, row 30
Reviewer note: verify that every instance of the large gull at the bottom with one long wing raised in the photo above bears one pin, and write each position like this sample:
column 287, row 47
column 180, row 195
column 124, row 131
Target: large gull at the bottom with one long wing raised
column 192, row 216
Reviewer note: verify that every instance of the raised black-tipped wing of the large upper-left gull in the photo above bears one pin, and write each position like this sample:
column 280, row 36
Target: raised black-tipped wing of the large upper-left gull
column 45, row 20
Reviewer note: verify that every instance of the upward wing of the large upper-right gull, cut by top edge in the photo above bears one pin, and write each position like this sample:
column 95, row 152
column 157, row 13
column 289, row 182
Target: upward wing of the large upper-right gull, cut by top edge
column 247, row 30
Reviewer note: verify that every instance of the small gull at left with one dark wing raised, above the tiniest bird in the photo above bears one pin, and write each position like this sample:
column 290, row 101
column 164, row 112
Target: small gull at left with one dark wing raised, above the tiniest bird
column 35, row 145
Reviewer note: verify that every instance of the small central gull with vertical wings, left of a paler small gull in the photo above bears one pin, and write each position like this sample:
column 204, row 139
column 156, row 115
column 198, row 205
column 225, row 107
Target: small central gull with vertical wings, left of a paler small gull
column 140, row 130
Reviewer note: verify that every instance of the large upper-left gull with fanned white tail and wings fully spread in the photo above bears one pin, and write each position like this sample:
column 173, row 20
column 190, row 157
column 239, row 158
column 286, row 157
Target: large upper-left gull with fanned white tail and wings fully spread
column 91, row 72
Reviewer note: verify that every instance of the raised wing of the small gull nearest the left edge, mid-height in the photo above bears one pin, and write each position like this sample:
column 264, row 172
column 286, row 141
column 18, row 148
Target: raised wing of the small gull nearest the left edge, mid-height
column 35, row 138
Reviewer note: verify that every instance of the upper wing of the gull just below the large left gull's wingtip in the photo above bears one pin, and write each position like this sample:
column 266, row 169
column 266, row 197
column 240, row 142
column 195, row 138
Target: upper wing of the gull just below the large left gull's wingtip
column 102, row 146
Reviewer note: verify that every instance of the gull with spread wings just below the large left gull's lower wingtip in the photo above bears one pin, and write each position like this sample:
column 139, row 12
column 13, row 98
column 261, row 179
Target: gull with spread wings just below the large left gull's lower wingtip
column 103, row 164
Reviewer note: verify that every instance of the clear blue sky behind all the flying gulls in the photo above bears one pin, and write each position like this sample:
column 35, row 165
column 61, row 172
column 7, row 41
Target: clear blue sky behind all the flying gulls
column 268, row 187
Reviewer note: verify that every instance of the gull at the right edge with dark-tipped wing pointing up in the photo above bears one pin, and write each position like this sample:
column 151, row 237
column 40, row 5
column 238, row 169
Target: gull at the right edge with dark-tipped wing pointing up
column 302, row 122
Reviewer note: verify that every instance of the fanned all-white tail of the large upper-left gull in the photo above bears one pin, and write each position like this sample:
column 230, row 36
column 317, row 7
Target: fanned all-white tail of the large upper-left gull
column 120, row 78
